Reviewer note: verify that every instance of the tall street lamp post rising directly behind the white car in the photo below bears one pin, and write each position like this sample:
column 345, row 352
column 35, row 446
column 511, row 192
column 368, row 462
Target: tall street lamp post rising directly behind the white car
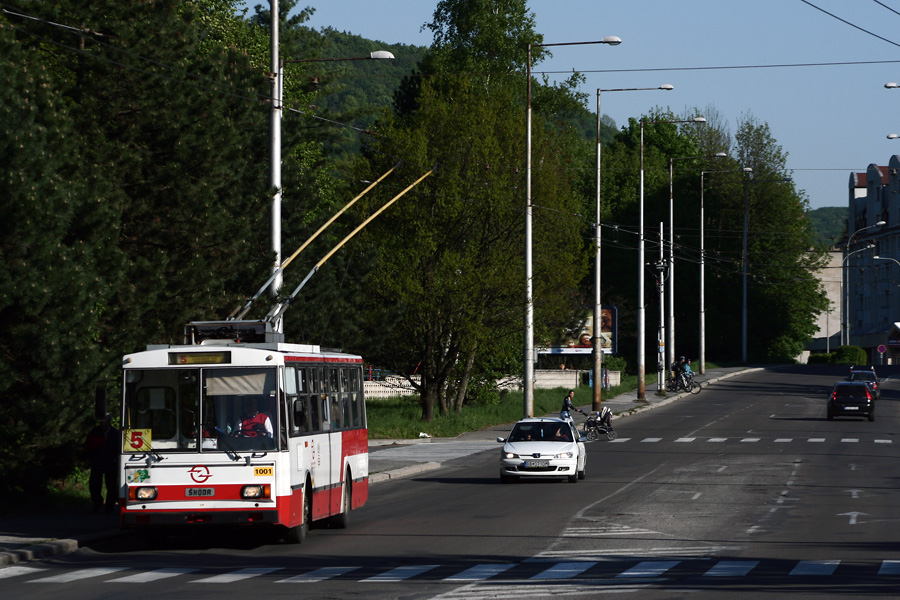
column 528, row 375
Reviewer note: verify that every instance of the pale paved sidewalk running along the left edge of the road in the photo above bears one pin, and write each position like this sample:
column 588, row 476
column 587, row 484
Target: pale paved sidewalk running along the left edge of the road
column 29, row 537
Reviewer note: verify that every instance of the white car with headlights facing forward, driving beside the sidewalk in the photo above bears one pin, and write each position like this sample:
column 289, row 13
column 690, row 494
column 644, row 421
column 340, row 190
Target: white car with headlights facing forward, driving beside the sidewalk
column 542, row 447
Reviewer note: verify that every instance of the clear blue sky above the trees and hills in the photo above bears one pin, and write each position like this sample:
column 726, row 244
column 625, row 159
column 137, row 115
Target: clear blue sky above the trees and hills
column 817, row 81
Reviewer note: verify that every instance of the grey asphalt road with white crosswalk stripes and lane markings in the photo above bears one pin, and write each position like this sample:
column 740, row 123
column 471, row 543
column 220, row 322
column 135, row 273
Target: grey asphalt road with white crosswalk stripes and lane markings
column 743, row 490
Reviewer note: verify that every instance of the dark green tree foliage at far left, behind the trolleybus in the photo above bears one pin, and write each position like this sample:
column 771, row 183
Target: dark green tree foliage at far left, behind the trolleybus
column 128, row 169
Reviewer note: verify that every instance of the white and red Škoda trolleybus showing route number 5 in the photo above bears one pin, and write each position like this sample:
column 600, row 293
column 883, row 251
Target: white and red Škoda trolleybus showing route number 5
column 234, row 428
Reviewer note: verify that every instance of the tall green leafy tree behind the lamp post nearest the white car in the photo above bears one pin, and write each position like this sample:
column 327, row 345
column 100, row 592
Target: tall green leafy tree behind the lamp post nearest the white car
column 450, row 260
